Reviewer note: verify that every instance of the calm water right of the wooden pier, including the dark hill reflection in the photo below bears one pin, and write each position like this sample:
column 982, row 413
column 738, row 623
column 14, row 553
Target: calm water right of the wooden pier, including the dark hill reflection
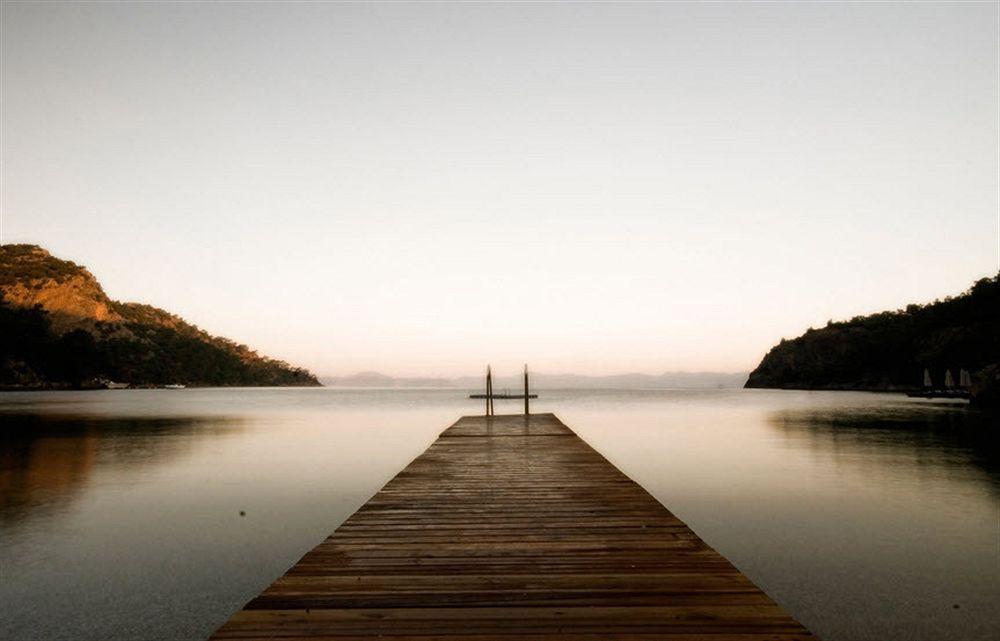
column 867, row 516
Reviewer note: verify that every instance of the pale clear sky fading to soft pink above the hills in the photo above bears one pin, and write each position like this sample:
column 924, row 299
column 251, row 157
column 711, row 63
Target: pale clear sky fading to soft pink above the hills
column 420, row 189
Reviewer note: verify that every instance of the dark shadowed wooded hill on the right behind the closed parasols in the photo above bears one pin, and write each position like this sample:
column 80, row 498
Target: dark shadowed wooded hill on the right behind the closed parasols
column 890, row 350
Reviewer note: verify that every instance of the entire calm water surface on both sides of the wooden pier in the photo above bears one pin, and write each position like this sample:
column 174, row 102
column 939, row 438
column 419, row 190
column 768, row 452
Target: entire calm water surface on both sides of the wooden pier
column 867, row 516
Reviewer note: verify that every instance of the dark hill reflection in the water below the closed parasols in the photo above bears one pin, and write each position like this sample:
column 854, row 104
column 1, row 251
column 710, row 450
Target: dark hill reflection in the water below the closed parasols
column 939, row 439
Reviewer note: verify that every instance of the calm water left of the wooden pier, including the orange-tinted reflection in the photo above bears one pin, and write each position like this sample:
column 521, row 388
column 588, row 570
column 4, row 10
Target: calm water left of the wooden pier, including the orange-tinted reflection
column 155, row 515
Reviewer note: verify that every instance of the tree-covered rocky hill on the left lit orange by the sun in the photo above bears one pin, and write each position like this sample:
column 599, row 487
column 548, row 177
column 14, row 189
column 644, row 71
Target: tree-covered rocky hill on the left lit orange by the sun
column 59, row 329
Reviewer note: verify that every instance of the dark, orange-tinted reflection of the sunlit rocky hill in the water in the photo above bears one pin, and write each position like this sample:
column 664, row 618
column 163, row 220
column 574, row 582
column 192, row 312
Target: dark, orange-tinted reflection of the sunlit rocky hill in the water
column 47, row 461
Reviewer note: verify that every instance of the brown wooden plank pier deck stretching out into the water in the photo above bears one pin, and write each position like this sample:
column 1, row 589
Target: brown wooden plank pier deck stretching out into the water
column 512, row 527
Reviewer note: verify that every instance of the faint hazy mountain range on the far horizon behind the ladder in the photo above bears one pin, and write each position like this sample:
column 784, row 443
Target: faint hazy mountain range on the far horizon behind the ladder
column 667, row 380
